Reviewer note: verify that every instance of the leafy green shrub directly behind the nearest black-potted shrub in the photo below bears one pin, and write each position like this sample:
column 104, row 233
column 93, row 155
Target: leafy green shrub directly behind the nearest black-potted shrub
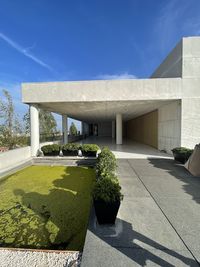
column 106, row 163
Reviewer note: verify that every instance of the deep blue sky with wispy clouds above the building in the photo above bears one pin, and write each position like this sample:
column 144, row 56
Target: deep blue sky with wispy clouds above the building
column 48, row 40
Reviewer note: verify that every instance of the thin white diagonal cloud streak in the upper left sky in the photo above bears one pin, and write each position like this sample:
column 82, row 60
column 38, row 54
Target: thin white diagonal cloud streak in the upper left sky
column 24, row 51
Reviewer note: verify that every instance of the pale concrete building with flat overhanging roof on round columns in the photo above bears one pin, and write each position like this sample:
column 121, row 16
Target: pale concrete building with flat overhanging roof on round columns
column 162, row 111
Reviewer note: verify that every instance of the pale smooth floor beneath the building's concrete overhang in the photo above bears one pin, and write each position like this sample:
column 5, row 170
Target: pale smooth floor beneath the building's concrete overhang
column 129, row 149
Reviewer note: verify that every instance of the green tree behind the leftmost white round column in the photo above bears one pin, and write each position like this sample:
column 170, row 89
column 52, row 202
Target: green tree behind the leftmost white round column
column 47, row 122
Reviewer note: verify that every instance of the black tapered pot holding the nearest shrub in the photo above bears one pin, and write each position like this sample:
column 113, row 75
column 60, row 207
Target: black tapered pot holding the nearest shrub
column 106, row 212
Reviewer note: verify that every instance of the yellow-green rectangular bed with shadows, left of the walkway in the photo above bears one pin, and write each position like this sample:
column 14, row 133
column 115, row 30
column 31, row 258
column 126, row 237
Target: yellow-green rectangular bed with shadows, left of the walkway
column 46, row 207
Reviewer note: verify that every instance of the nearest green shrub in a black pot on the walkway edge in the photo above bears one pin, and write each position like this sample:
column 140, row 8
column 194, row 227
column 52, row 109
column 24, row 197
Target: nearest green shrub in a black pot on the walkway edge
column 107, row 198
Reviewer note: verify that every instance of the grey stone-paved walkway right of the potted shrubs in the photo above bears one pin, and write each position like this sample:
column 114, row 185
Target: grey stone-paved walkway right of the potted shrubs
column 158, row 222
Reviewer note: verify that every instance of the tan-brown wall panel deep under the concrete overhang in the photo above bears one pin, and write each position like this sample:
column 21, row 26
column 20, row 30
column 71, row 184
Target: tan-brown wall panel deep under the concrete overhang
column 144, row 129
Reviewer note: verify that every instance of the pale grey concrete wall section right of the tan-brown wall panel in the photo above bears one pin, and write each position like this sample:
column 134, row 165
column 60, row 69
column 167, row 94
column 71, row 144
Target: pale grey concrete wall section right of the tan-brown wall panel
column 169, row 126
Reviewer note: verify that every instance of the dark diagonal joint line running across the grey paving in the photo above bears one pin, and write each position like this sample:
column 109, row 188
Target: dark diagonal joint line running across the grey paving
column 163, row 213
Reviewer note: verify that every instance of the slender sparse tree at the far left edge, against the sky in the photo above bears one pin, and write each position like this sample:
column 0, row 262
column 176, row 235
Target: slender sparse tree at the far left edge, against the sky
column 10, row 125
